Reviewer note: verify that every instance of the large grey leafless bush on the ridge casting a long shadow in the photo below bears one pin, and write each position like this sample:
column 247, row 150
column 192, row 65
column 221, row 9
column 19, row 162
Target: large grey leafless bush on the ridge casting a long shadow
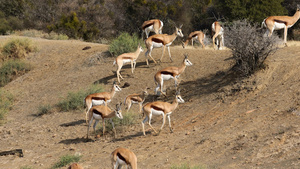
column 249, row 47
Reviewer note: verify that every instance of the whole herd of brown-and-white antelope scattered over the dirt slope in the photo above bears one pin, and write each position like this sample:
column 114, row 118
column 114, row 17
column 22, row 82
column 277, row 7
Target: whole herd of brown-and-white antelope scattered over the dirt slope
column 97, row 103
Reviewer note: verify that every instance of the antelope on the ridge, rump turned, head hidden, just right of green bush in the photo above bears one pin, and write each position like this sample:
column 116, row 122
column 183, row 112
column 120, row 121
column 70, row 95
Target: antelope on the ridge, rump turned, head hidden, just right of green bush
column 154, row 25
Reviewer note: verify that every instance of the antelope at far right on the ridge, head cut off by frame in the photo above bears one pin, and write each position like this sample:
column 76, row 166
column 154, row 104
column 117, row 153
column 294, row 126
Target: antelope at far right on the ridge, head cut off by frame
column 281, row 22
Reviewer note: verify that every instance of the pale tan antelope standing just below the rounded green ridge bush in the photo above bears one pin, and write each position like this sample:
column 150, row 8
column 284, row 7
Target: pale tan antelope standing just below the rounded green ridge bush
column 125, row 58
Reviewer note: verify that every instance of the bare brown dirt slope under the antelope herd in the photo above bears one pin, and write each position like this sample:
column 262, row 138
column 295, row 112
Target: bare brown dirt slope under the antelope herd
column 224, row 123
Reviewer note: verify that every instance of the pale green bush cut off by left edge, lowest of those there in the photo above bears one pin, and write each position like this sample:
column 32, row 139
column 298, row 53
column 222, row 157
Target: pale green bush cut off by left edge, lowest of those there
column 6, row 101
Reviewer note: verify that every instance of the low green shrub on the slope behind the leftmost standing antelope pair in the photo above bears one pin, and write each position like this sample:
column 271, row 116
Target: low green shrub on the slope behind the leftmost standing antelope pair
column 75, row 100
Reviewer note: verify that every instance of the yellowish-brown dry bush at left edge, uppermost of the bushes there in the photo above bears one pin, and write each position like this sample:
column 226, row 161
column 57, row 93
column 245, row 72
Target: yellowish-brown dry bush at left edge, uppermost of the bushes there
column 17, row 48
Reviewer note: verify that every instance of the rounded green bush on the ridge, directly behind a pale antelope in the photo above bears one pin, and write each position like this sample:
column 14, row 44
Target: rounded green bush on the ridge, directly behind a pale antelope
column 123, row 44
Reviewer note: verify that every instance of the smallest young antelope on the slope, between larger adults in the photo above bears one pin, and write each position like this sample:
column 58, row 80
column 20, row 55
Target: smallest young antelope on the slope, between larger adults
column 136, row 99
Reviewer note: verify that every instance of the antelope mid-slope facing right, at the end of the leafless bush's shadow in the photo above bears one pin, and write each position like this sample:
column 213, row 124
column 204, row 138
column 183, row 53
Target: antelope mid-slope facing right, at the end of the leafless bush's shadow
column 170, row 73
